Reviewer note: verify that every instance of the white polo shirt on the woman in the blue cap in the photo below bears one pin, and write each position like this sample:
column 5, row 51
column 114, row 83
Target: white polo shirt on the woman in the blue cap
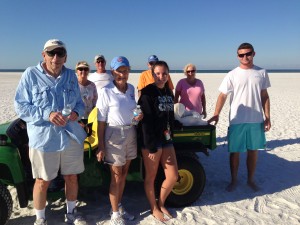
column 115, row 107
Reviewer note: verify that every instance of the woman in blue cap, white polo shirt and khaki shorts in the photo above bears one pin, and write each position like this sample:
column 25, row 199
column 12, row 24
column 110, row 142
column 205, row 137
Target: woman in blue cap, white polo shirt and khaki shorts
column 116, row 134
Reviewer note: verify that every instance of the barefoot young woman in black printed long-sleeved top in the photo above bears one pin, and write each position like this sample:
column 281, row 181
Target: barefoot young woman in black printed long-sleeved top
column 157, row 104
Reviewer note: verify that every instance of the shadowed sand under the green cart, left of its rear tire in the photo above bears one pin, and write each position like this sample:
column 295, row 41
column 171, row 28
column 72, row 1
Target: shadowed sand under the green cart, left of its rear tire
column 95, row 206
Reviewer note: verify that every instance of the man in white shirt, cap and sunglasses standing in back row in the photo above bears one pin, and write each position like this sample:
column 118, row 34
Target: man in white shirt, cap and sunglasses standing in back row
column 102, row 76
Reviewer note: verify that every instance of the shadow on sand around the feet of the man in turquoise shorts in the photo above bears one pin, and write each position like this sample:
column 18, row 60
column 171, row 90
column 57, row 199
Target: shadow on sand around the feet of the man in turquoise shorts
column 273, row 174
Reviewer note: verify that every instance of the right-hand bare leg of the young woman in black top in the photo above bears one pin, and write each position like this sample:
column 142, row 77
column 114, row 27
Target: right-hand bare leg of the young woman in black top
column 169, row 164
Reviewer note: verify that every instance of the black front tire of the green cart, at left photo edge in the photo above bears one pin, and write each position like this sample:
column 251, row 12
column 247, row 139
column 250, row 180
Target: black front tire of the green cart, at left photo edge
column 6, row 204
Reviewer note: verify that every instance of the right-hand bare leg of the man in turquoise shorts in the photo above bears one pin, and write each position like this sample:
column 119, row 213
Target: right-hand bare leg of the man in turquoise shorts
column 251, row 166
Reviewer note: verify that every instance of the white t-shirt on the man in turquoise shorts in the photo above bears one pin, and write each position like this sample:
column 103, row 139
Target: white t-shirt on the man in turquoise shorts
column 244, row 87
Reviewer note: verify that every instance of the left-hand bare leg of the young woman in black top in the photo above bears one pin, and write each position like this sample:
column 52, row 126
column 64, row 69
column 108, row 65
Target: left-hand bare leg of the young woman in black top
column 151, row 167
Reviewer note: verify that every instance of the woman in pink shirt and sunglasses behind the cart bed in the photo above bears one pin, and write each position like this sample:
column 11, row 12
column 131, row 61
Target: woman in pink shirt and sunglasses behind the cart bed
column 191, row 91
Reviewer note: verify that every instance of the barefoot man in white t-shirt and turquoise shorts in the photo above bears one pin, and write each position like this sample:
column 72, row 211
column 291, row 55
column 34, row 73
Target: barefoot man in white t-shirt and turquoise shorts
column 249, row 115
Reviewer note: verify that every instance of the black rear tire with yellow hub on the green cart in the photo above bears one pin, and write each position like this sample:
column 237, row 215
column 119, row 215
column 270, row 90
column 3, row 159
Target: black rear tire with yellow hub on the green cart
column 191, row 183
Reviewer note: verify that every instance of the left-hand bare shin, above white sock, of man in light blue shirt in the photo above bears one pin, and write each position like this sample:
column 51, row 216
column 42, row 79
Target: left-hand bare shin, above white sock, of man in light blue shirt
column 40, row 193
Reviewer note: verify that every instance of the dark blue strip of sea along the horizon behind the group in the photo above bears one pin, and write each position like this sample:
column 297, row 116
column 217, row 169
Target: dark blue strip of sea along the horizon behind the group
column 181, row 71
